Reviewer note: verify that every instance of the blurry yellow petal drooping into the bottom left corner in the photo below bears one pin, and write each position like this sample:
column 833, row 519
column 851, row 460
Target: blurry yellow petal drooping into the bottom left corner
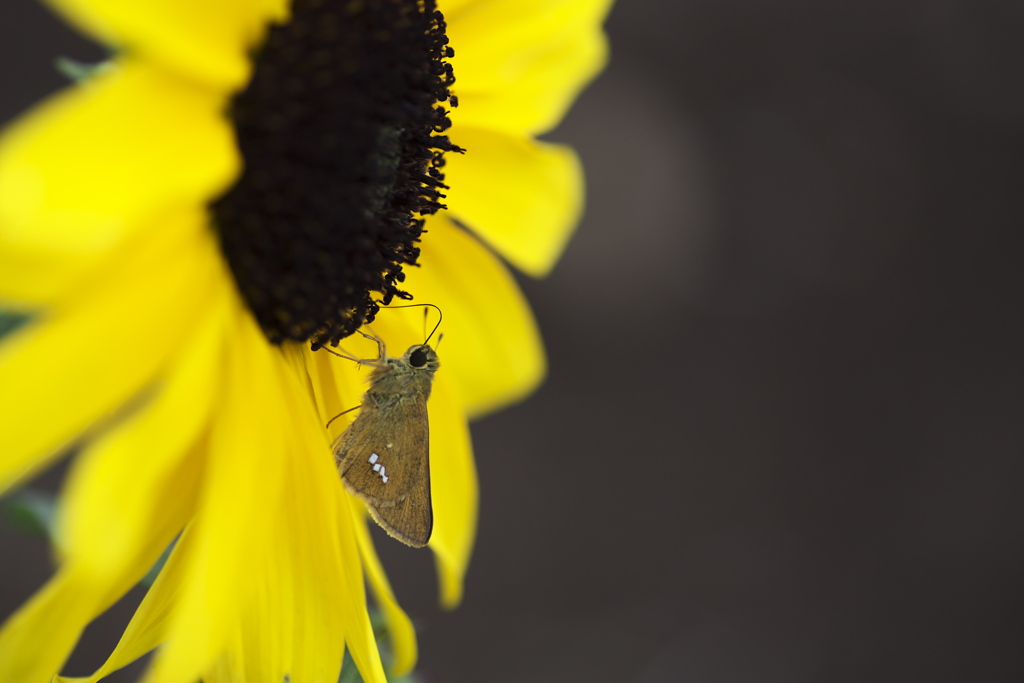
column 111, row 534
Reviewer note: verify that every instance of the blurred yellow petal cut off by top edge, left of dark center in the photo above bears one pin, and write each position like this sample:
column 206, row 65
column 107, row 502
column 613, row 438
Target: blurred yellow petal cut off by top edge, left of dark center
column 202, row 40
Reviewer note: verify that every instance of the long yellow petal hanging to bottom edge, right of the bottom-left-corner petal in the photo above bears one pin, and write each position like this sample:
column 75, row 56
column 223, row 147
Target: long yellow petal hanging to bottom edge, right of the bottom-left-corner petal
column 242, row 493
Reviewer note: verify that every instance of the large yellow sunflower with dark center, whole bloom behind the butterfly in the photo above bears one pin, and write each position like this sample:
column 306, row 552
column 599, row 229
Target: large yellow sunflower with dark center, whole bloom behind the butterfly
column 245, row 183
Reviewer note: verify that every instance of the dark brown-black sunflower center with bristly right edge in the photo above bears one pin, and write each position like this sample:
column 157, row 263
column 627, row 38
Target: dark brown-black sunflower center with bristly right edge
column 340, row 132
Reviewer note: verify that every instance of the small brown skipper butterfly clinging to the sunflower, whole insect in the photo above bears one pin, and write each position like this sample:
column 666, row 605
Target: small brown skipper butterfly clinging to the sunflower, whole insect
column 383, row 456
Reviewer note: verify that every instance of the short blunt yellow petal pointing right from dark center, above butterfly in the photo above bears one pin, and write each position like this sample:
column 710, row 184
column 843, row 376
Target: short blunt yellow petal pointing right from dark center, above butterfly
column 523, row 197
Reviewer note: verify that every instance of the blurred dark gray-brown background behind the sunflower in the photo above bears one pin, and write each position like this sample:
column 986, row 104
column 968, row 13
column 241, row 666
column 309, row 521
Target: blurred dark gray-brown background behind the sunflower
column 782, row 436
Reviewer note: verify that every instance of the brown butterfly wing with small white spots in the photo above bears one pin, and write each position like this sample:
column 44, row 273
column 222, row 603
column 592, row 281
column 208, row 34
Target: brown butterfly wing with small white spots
column 385, row 460
